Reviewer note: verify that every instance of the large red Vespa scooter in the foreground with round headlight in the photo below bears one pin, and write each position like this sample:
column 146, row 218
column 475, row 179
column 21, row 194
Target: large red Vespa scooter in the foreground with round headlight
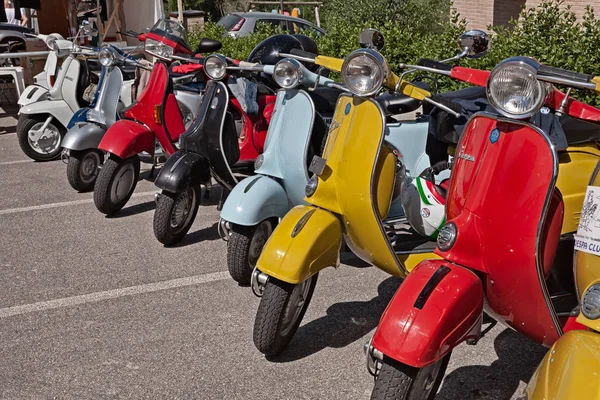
column 508, row 241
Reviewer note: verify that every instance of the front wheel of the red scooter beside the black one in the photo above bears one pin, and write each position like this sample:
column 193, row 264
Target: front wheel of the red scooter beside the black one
column 115, row 183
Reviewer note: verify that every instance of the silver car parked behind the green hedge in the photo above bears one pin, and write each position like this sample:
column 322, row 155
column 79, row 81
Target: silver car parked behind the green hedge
column 243, row 24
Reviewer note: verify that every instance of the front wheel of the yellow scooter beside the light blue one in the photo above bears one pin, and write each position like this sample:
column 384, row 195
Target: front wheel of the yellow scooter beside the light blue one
column 280, row 312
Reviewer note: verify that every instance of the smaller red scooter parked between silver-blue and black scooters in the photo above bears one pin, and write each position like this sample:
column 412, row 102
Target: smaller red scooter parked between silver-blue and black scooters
column 155, row 120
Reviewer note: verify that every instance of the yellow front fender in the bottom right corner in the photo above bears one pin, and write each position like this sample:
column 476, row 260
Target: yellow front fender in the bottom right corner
column 569, row 370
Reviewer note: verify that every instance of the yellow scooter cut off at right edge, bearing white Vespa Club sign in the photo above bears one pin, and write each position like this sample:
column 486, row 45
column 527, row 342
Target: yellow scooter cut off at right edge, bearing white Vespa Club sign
column 570, row 369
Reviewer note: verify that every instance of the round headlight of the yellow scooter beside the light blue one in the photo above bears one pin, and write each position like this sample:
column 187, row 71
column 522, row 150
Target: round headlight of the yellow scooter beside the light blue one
column 364, row 71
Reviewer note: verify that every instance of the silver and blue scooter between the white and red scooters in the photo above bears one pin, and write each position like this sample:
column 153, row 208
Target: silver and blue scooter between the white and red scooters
column 88, row 125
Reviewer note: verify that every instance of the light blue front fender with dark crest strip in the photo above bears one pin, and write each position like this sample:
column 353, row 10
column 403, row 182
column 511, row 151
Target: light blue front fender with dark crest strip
column 255, row 199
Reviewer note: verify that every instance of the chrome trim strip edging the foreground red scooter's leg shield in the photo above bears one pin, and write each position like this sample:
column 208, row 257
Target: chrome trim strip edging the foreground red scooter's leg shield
column 538, row 256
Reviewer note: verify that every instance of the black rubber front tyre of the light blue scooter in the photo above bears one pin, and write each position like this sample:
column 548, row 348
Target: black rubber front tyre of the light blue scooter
column 239, row 247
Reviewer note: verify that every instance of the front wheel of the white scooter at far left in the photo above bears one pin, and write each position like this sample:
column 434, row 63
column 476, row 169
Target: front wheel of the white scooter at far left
column 37, row 143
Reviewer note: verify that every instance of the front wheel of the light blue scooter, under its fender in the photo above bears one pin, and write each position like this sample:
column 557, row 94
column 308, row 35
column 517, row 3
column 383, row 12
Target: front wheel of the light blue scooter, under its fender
column 244, row 247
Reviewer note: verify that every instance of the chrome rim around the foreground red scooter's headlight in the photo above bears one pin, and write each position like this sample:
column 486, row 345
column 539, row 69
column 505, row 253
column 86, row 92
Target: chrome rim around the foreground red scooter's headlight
column 531, row 66
